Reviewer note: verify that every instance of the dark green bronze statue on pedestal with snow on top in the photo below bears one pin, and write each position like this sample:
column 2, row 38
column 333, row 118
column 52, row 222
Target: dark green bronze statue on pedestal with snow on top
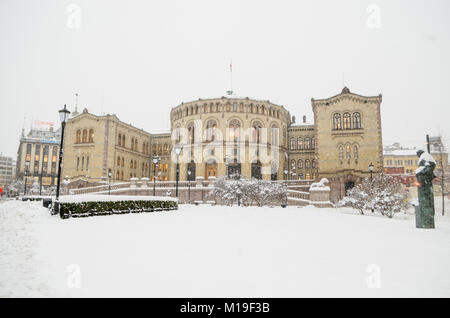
column 425, row 175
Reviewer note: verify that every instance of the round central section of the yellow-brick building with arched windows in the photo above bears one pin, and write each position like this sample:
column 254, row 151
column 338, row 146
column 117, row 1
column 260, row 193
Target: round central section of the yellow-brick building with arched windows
column 230, row 135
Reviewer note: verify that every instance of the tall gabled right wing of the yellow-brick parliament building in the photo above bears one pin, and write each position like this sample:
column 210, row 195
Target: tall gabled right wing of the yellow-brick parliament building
column 348, row 139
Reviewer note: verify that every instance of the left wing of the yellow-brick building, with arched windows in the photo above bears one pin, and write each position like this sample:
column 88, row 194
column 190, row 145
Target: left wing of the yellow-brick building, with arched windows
column 94, row 145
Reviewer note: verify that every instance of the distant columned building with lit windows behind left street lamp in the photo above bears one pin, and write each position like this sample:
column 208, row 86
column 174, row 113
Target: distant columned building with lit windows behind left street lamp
column 37, row 156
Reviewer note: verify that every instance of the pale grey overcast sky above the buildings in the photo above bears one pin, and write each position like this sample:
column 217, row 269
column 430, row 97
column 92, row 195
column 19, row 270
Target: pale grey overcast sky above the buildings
column 137, row 59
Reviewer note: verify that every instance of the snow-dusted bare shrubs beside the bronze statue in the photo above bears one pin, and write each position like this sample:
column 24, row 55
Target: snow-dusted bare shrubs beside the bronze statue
column 384, row 194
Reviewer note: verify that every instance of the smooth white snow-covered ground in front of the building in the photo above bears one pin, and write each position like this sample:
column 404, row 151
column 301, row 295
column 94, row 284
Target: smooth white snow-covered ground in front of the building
column 221, row 252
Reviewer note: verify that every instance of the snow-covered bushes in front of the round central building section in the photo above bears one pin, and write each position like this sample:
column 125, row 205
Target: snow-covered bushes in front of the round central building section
column 237, row 189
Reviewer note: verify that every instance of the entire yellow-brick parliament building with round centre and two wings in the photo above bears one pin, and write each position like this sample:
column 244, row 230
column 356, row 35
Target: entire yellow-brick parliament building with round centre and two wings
column 227, row 135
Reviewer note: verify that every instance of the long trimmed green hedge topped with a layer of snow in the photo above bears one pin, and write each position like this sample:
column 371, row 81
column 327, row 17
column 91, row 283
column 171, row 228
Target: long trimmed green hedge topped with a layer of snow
column 90, row 205
